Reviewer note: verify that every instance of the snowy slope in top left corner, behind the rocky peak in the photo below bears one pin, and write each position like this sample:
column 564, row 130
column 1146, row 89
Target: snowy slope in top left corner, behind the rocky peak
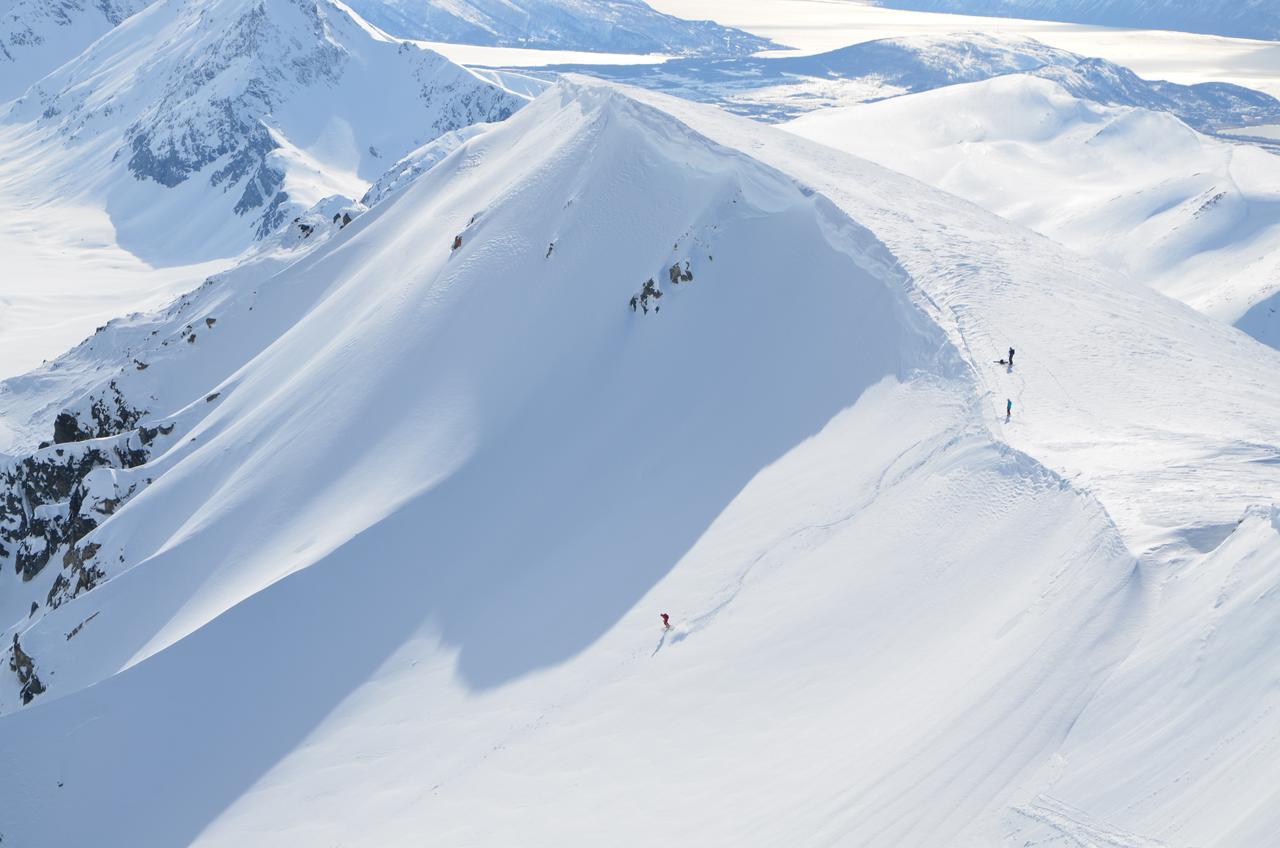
column 38, row 37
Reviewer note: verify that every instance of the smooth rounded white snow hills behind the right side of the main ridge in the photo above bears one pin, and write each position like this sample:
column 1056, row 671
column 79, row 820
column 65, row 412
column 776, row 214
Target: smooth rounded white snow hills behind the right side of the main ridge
column 1194, row 217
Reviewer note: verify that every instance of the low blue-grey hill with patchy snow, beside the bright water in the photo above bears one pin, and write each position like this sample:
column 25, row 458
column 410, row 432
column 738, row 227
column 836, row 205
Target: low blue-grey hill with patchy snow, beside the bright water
column 785, row 88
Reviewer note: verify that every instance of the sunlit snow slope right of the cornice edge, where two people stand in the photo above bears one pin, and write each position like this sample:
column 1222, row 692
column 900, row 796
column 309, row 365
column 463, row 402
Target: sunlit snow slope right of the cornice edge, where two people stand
column 1169, row 418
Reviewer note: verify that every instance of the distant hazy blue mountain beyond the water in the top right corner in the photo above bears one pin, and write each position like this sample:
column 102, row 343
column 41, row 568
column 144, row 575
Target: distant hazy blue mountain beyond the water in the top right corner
column 1241, row 19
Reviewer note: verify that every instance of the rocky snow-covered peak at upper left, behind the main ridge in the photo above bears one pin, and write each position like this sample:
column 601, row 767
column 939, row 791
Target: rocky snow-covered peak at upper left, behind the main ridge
column 198, row 124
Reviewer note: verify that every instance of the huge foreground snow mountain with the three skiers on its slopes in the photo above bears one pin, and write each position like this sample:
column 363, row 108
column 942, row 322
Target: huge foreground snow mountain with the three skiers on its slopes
column 397, row 575
